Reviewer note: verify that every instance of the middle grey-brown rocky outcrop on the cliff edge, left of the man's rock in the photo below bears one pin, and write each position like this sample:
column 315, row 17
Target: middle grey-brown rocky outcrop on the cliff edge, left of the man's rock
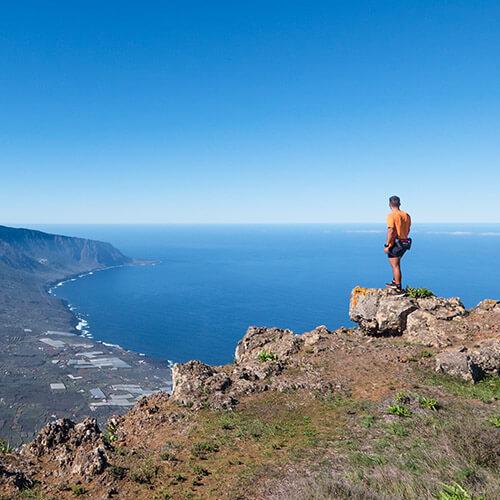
column 261, row 357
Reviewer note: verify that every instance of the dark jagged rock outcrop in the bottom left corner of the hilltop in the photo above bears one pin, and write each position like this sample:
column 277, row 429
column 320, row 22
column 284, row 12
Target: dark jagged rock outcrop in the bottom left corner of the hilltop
column 78, row 450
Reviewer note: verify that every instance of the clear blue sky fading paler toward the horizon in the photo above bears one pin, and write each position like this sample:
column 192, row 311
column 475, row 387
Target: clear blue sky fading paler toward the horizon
column 263, row 111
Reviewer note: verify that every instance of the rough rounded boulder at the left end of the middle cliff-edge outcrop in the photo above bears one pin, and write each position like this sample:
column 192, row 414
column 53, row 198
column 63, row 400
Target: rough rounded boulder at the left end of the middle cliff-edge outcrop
column 196, row 384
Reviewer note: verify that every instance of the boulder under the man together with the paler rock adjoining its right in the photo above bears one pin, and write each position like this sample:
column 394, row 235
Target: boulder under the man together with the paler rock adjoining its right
column 424, row 321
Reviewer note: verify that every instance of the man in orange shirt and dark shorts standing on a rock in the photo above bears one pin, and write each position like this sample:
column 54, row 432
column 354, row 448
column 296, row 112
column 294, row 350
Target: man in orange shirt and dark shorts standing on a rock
column 398, row 242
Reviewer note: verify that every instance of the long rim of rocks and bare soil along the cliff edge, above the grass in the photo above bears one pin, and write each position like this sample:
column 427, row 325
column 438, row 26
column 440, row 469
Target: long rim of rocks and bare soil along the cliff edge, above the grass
column 361, row 360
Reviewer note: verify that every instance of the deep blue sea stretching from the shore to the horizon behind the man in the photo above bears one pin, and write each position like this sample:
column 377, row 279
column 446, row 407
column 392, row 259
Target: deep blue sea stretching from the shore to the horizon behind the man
column 216, row 280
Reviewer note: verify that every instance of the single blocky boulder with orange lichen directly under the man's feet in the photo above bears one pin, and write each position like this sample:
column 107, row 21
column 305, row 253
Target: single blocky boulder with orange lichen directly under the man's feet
column 380, row 312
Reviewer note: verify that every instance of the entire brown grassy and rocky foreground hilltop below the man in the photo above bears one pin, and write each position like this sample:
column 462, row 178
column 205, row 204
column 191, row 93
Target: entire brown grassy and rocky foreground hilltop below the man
column 405, row 406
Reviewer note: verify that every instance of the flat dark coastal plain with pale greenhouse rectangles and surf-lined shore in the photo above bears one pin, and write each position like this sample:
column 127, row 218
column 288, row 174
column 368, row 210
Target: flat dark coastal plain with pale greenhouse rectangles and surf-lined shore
column 52, row 367
